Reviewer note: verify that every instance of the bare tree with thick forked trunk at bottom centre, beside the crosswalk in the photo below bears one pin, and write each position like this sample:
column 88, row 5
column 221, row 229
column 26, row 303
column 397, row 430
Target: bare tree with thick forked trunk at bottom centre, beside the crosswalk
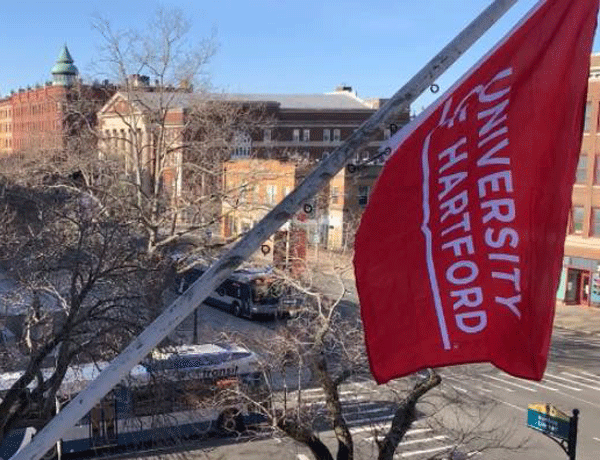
column 324, row 346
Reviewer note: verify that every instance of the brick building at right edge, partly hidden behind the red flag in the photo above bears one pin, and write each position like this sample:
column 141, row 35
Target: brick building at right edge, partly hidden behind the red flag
column 580, row 280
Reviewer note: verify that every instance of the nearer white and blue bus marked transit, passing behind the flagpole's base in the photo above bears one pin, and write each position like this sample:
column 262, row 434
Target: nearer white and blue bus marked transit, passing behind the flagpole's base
column 185, row 393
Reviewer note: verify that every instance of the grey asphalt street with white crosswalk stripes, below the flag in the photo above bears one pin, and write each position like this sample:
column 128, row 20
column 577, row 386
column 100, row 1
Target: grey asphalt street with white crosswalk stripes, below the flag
column 499, row 401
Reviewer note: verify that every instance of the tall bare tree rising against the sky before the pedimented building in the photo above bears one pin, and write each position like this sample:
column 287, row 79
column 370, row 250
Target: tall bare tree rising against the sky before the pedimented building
column 166, row 132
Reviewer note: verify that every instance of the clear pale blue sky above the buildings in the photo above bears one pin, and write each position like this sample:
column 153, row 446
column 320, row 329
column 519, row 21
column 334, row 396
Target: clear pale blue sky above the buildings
column 265, row 46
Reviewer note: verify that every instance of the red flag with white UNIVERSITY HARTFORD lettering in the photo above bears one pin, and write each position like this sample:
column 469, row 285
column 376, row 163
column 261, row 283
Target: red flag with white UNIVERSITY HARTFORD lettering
column 460, row 248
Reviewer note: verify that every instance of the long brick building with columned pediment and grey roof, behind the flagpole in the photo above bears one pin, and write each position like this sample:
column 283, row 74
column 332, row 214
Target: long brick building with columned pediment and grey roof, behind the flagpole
column 290, row 135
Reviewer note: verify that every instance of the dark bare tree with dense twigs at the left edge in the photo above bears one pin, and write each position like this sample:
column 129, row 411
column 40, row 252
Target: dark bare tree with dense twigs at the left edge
column 85, row 288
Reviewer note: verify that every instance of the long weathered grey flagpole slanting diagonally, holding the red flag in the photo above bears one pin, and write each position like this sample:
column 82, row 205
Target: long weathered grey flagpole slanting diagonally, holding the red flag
column 220, row 270
